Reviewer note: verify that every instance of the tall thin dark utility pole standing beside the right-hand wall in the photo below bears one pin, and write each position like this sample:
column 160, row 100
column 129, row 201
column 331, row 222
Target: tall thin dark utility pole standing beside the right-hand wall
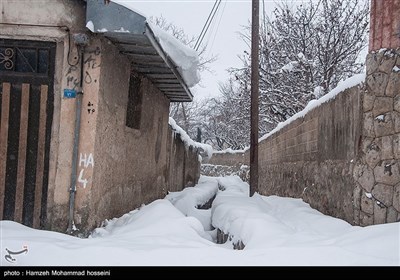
column 255, row 27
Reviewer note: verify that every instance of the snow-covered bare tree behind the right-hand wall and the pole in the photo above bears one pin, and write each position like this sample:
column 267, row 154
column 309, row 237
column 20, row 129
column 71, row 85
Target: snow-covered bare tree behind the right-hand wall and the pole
column 305, row 50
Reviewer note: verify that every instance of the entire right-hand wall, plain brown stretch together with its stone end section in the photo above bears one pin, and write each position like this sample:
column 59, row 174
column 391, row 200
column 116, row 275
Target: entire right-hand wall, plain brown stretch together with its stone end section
column 343, row 157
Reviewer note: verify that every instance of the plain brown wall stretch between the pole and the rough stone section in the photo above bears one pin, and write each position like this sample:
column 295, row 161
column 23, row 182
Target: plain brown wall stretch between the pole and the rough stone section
column 312, row 157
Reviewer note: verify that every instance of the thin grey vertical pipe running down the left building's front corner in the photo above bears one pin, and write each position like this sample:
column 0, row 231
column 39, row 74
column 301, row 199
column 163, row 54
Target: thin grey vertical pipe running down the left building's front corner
column 74, row 171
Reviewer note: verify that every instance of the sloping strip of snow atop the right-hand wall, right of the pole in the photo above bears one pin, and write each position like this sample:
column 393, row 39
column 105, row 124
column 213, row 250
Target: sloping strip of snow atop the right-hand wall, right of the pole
column 342, row 86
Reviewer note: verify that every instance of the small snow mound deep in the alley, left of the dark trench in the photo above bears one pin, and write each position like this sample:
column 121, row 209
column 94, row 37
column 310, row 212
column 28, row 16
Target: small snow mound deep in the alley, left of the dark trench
column 190, row 198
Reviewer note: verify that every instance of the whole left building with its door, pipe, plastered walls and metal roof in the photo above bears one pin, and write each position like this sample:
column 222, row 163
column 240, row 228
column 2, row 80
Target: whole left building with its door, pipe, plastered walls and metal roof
column 113, row 140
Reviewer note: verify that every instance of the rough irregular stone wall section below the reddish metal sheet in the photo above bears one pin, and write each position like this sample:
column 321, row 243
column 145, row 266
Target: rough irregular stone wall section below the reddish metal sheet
column 377, row 192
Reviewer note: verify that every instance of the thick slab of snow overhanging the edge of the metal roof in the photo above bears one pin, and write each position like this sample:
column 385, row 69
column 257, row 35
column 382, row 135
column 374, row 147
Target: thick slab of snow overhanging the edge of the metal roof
column 185, row 58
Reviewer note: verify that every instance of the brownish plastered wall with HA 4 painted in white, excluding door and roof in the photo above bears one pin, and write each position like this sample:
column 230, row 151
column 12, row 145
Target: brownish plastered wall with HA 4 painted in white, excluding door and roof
column 119, row 168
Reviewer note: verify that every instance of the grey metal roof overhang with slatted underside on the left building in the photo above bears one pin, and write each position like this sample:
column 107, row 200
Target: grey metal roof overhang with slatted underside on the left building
column 132, row 35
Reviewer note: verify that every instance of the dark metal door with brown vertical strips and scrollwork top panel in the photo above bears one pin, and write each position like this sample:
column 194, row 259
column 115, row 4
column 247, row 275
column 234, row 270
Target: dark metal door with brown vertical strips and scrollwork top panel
column 26, row 113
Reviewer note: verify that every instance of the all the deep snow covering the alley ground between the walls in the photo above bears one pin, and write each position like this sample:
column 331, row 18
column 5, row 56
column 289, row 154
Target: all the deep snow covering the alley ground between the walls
column 172, row 231
